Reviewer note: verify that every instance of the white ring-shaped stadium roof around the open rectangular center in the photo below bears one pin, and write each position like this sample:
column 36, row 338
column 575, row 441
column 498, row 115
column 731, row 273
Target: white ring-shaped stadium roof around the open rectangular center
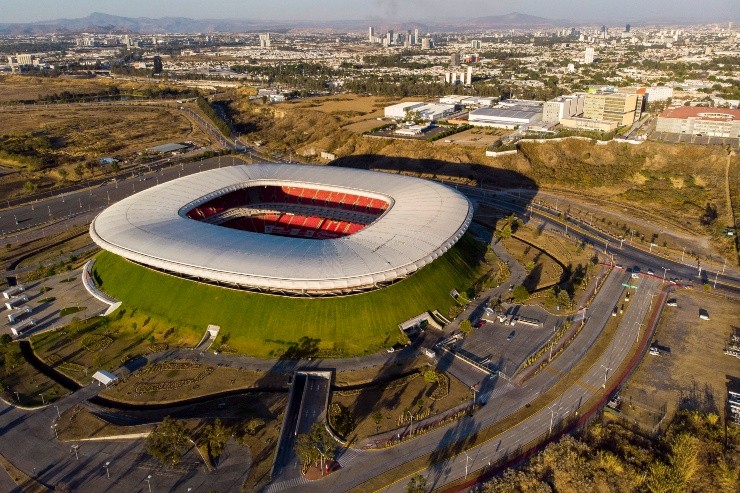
column 424, row 219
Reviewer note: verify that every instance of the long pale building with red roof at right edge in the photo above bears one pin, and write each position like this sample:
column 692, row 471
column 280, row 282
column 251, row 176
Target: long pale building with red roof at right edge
column 697, row 120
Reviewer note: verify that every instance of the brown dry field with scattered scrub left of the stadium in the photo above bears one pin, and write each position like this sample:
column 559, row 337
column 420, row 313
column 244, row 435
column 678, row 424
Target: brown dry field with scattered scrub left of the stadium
column 73, row 135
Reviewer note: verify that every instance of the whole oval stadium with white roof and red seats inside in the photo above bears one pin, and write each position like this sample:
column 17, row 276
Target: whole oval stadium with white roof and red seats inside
column 285, row 229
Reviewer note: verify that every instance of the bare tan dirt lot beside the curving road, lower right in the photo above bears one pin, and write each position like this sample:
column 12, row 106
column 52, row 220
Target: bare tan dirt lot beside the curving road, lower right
column 695, row 373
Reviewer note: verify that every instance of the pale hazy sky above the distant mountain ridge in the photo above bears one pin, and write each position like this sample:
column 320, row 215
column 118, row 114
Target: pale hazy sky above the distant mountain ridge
column 390, row 10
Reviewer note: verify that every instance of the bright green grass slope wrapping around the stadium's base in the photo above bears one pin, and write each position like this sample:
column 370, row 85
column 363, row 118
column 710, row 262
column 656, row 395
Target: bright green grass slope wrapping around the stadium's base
column 268, row 326
